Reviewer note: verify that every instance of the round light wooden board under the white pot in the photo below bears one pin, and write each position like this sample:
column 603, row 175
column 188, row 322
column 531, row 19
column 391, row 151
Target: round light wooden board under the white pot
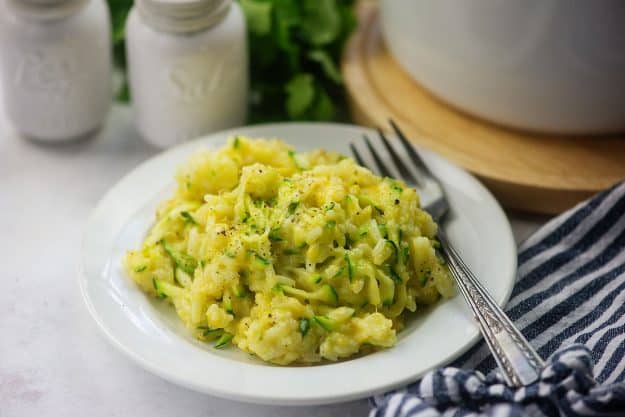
column 527, row 171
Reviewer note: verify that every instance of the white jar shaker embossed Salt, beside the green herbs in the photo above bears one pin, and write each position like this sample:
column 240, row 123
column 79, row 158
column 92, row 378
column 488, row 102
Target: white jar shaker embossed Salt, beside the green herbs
column 187, row 64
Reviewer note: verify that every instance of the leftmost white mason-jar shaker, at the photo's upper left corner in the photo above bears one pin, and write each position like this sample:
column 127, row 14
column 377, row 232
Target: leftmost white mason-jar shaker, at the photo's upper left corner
column 55, row 66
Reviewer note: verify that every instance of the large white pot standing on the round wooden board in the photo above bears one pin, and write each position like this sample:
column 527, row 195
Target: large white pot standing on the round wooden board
column 556, row 66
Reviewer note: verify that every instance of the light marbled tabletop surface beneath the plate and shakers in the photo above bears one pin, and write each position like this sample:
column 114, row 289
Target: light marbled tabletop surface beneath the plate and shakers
column 53, row 360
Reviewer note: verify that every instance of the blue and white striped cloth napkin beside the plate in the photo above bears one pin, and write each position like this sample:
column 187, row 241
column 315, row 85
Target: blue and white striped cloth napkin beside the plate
column 569, row 301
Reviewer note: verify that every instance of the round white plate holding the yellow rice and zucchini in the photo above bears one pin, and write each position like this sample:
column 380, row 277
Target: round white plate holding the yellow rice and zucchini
column 148, row 331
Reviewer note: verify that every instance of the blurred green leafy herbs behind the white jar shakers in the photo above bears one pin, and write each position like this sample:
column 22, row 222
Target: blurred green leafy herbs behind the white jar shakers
column 295, row 47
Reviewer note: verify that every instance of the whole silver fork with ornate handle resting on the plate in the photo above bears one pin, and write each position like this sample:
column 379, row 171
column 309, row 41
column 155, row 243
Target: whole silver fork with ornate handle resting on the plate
column 518, row 361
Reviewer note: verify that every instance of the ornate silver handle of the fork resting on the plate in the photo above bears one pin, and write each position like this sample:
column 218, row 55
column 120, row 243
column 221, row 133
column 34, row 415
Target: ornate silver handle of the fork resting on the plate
column 518, row 361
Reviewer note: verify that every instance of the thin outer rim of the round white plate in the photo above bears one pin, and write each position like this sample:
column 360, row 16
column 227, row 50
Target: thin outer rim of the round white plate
column 260, row 398
